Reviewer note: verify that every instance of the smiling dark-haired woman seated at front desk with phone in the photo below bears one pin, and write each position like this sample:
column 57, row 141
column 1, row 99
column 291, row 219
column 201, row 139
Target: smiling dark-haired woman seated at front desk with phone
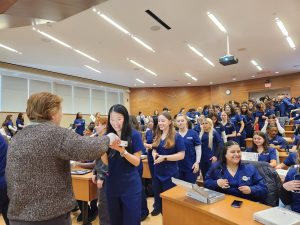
column 229, row 176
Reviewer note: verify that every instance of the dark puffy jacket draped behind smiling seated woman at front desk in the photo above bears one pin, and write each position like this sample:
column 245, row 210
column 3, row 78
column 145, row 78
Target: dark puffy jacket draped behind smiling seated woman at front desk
column 272, row 180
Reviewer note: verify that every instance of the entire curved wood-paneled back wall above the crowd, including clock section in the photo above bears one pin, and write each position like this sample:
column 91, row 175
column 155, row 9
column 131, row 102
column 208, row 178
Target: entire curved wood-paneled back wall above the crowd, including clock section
column 149, row 99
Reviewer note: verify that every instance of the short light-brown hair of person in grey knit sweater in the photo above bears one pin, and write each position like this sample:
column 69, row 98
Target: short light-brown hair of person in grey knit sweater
column 42, row 106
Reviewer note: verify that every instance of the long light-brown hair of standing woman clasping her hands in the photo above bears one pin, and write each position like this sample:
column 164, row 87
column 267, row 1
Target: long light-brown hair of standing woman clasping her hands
column 170, row 139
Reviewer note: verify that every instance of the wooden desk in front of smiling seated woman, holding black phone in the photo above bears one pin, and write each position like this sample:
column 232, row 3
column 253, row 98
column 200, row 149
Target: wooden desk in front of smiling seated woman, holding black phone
column 179, row 209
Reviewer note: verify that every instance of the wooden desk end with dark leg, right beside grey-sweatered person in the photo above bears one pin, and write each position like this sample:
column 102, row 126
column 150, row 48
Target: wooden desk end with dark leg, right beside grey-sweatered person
column 85, row 190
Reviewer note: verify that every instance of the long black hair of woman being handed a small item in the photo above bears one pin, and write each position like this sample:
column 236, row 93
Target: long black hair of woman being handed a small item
column 126, row 128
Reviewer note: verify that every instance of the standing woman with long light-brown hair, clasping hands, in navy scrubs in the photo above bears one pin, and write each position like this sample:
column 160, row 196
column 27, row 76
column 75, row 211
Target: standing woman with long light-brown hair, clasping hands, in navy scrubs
column 168, row 148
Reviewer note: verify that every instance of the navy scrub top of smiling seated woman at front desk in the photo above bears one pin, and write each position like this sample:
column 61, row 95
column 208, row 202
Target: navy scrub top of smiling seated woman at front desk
column 246, row 175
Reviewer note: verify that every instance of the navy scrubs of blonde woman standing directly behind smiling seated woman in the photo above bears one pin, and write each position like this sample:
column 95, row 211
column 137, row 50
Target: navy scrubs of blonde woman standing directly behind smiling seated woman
column 207, row 153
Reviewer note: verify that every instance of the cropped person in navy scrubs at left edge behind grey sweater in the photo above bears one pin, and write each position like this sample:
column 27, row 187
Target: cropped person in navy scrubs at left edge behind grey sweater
column 3, row 186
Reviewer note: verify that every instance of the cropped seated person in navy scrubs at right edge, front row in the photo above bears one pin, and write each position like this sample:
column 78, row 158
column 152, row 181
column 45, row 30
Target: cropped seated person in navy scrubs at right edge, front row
column 290, row 192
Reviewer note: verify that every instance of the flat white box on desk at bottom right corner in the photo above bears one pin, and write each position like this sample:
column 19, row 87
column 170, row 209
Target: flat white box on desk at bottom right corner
column 277, row 216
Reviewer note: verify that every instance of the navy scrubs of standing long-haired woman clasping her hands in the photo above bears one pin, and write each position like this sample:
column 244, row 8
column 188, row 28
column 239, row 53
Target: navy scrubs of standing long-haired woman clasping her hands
column 164, row 171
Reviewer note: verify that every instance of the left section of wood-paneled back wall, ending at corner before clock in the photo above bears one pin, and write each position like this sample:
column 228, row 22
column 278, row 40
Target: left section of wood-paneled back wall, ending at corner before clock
column 149, row 99
